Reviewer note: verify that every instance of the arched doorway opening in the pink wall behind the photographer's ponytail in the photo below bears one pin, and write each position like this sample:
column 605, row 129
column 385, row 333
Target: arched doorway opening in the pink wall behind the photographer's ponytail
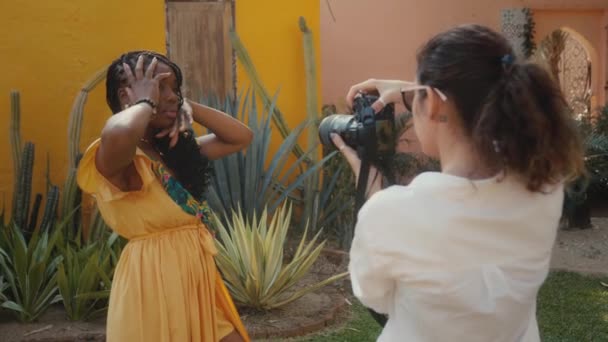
column 569, row 58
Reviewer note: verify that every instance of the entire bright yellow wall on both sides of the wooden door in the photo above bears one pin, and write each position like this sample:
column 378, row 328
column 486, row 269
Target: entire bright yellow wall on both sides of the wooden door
column 50, row 48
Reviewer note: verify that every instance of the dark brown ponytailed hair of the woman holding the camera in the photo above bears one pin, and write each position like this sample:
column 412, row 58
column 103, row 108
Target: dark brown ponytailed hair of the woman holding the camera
column 514, row 112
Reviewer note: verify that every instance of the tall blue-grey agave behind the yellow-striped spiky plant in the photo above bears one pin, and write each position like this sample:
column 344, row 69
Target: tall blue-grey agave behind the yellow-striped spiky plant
column 253, row 178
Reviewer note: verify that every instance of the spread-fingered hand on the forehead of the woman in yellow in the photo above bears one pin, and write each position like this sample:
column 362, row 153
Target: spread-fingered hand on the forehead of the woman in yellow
column 143, row 85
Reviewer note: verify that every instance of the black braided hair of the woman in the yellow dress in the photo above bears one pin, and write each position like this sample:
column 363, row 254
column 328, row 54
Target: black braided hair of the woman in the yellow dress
column 191, row 168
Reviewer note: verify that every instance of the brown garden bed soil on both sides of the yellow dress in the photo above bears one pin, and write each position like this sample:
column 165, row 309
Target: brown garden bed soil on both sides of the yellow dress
column 310, row 313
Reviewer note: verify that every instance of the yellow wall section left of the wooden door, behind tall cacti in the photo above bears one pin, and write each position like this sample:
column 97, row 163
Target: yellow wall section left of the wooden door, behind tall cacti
column 48, row 49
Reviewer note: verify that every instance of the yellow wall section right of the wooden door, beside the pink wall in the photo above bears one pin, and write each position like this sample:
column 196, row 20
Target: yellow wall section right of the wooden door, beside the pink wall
column 270, row 32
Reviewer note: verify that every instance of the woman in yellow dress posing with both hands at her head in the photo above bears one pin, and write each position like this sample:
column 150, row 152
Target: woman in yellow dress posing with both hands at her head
column 148, row 173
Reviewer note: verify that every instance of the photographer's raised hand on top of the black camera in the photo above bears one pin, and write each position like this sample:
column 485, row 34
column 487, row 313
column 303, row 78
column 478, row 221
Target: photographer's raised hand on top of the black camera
column 389, row 91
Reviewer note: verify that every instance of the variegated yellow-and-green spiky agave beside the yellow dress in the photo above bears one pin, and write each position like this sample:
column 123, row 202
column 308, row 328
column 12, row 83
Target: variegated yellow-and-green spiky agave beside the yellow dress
column 251, row 260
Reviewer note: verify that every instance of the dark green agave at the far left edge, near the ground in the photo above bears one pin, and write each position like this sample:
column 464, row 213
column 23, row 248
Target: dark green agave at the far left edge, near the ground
column 30, row 270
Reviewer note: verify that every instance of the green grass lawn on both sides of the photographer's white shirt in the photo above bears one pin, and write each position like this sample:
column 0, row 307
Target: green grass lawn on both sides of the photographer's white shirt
column 571, row 307
